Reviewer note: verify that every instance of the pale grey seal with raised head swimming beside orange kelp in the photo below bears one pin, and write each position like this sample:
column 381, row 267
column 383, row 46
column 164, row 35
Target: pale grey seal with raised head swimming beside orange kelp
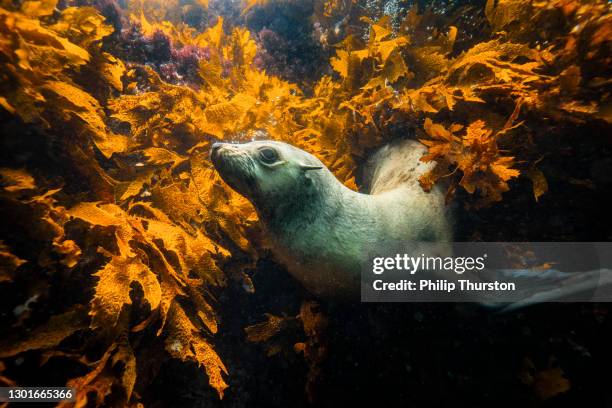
column 320, row 229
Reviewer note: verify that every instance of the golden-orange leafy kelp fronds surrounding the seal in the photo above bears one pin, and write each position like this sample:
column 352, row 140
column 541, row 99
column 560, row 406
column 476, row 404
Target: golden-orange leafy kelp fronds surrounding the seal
column 148, row 231
